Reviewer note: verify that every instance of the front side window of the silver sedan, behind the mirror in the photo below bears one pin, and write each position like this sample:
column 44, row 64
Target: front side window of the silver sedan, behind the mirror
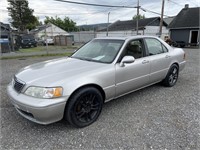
column 134, row 48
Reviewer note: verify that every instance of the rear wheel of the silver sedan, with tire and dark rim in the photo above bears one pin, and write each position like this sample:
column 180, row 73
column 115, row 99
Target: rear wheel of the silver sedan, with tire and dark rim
column 172, row 76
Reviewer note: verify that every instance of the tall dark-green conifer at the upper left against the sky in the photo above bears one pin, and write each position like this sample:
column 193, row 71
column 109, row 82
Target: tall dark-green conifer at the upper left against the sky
column 22, row 16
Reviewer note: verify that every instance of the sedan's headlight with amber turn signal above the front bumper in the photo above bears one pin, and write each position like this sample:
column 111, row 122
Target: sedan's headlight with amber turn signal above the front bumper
column 41, row 92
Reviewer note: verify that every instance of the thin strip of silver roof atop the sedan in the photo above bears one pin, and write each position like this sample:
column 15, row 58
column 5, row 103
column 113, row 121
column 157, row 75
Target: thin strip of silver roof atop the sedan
column 127, row 37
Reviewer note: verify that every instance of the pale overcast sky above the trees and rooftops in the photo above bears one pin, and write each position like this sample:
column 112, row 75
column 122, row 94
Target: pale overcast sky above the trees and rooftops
column 91, row 15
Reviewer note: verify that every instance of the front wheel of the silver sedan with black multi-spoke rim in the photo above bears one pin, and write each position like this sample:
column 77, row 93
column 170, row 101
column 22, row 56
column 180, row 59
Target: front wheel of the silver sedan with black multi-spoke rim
column 84, row 107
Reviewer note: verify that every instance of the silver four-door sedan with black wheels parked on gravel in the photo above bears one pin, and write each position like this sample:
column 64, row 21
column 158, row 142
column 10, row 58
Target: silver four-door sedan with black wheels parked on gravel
column 75, row 88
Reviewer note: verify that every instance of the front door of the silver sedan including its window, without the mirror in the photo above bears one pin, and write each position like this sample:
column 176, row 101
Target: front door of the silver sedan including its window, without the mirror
column 134, row 75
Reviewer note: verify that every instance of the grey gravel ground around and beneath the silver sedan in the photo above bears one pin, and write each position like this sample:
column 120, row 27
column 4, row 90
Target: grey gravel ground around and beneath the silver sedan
column 153, row 118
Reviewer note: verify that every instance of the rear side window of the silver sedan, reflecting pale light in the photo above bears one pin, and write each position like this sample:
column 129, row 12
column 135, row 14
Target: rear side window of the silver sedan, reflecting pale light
column 155, row 47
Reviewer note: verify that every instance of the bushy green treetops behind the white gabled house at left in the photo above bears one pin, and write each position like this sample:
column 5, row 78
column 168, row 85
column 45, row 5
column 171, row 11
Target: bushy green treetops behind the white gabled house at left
column 66, row 24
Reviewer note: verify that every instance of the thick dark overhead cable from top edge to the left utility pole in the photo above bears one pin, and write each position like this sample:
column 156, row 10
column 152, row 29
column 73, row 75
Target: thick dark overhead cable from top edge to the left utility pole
column 98, row 5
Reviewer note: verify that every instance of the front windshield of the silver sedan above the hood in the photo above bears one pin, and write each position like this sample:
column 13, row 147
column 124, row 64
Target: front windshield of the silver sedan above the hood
column 99, row 50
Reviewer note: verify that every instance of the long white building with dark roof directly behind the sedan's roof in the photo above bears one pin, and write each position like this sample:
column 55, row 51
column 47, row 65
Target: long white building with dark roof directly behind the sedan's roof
column 147, row 26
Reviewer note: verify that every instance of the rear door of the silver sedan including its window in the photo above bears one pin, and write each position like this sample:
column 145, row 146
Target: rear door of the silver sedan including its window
column 159, row 57
